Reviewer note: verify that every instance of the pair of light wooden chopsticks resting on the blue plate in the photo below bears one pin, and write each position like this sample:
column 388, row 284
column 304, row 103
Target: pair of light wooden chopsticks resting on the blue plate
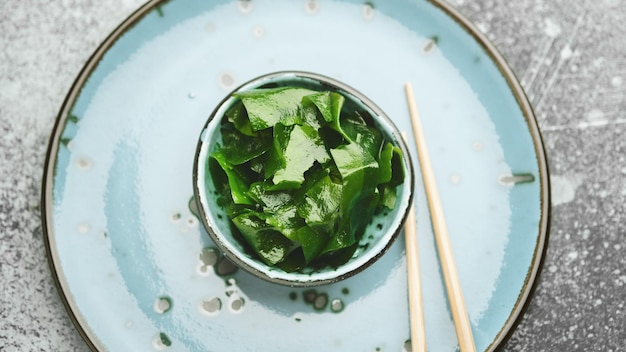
column 446, row 257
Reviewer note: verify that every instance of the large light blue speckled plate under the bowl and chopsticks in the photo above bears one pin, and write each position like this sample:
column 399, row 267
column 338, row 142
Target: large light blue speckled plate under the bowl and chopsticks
column 138, row 273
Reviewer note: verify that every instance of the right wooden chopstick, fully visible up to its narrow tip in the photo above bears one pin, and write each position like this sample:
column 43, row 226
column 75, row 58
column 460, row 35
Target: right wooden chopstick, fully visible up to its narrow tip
column 444, row 248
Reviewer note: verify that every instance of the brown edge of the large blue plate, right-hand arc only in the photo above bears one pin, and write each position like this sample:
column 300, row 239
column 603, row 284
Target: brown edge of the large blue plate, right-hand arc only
column 541, row 247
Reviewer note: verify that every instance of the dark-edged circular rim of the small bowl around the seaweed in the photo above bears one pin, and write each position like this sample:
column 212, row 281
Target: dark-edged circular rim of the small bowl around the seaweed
column 286, row 76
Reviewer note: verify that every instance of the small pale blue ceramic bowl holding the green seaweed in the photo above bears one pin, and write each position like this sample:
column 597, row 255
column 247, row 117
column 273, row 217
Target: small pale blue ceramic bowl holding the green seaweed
column 380, row 232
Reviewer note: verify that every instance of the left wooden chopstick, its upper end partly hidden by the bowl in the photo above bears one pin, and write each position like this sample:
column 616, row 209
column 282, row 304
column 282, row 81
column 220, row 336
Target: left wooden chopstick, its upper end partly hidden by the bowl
column 416, row 305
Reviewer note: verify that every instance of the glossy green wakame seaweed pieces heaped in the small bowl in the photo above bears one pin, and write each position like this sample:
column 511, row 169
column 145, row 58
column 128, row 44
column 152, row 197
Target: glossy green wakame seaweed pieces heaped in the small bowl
column 301, row 175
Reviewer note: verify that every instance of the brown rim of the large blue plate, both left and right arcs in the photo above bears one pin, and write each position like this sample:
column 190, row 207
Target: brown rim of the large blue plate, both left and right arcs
column 539, row 254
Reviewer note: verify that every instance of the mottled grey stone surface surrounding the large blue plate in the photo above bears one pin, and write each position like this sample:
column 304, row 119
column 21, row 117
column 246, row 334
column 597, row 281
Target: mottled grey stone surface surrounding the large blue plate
column 570, row 56
